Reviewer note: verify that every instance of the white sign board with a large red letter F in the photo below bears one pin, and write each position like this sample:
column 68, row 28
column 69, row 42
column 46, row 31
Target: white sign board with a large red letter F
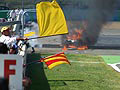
column 11, row 67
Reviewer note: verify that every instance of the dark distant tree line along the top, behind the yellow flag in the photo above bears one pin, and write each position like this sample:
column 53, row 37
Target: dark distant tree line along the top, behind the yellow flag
column 31, row 3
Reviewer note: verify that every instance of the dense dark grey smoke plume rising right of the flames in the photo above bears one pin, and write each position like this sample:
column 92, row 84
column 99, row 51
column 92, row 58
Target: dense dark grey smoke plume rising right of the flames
column 99, row 12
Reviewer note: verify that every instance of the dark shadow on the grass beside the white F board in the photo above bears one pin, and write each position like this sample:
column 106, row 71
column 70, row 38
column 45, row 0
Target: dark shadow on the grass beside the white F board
column 37, row 74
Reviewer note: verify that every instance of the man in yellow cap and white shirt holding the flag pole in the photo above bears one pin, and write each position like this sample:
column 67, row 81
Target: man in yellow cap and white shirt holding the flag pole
column 8, row 40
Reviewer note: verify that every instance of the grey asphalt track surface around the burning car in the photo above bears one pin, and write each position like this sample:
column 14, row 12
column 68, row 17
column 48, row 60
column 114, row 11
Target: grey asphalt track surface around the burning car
column 107, row 38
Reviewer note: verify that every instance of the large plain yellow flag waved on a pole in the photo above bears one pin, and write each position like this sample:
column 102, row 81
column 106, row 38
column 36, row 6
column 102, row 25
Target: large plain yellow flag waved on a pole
column 50, row 18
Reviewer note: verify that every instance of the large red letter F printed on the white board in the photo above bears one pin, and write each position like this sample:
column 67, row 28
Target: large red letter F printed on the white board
column 7, row 71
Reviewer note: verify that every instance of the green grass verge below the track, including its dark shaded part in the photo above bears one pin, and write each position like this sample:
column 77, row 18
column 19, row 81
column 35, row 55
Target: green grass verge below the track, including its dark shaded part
column 77, row 76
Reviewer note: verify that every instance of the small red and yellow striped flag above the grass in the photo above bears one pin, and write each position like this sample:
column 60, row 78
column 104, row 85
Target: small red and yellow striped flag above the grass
column 54, row 60
